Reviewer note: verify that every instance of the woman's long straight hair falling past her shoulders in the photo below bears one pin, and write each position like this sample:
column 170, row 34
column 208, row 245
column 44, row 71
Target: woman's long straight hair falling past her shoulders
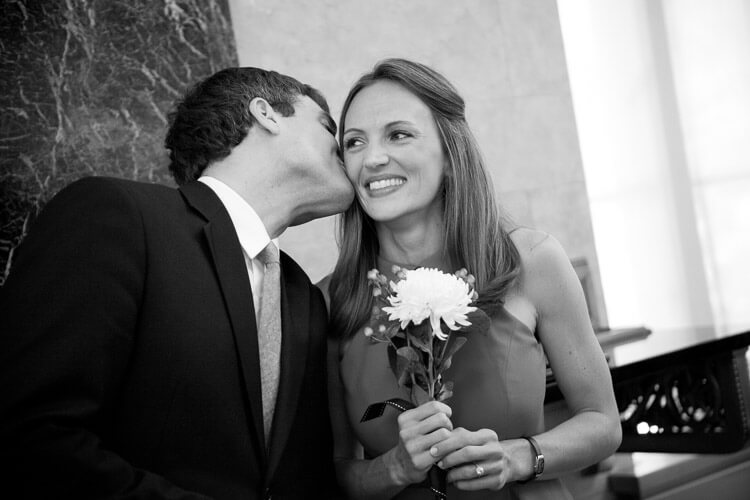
column 473, row 228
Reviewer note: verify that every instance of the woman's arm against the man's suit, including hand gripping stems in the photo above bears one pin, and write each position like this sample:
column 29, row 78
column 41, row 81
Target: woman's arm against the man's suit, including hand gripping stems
column 406, row 463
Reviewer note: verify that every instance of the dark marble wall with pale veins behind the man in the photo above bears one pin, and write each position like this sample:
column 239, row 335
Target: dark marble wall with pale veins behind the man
column 85, row 88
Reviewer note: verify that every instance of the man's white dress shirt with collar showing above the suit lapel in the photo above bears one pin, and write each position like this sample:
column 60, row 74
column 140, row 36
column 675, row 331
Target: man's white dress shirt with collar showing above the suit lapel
column 250, row 230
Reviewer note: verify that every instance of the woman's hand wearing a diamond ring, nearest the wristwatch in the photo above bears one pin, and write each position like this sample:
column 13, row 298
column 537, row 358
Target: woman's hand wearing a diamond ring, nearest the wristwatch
column 475, row 460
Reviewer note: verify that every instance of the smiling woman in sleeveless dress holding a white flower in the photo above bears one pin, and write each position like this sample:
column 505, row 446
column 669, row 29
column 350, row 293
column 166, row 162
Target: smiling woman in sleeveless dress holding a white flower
column 424, row 198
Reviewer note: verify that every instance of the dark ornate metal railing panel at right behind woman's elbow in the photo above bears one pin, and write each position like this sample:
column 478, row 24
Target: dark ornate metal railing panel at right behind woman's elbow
column 694, row 400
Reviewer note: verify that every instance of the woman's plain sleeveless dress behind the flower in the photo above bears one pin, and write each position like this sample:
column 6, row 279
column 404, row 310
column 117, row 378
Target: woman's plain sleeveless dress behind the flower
column 498, row 383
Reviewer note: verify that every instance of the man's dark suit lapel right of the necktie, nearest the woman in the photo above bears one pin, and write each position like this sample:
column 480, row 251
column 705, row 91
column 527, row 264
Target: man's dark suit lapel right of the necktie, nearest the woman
column 295, row 312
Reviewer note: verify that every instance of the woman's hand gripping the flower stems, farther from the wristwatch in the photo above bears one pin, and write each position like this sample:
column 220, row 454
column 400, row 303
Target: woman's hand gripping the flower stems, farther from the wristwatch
column 420, row 430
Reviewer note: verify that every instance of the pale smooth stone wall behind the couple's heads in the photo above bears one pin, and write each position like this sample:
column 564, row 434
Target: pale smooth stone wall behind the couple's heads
column 506, row 57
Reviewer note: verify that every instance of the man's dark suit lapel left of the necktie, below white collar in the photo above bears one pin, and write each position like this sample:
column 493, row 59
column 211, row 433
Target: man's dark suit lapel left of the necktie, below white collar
column 229, row 263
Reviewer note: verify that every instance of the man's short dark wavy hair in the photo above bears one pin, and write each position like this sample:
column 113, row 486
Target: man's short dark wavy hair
column 214, row 116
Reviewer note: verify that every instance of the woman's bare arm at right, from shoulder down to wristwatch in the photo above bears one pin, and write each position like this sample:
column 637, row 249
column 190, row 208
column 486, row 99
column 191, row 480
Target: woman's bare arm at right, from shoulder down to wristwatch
column 593, row 432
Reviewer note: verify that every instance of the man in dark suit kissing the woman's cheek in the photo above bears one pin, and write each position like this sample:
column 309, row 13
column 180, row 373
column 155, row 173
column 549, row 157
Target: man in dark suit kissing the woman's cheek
column 134, row 353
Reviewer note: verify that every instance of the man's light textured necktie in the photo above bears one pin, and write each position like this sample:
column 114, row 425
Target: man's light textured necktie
column 269, row 333
